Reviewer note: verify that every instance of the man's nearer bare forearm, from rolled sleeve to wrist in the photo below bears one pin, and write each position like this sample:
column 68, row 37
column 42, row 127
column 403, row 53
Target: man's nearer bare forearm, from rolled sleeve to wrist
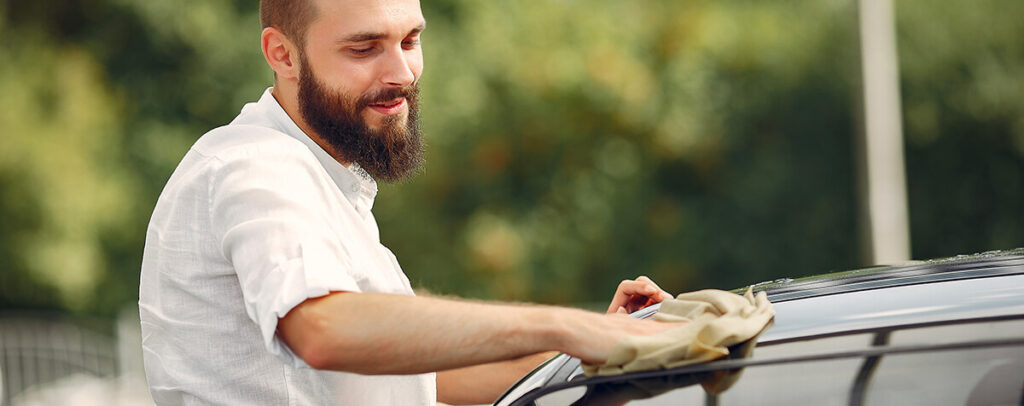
column 375, row 334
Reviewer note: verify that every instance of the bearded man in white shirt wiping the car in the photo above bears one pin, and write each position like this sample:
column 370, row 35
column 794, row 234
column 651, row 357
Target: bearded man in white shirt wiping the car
column 264, row 278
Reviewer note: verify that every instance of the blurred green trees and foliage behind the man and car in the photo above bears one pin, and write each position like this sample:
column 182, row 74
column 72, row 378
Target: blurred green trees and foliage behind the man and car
column 571, row 145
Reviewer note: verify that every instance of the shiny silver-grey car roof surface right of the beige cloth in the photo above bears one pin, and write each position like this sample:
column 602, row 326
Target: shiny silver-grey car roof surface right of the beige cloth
column 992, row 285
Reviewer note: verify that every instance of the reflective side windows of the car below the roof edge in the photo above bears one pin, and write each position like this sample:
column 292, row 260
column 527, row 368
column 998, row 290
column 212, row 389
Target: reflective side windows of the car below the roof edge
column 965, row 362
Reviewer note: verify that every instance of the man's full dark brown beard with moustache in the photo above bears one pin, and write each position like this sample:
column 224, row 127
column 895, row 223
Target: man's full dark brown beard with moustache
column 392, row 153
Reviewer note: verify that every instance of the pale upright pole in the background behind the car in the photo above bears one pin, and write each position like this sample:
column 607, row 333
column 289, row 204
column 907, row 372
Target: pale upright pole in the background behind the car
column 886, row 184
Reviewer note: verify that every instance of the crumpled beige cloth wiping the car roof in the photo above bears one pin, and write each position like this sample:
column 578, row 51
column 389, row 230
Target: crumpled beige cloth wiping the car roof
column 716, row 320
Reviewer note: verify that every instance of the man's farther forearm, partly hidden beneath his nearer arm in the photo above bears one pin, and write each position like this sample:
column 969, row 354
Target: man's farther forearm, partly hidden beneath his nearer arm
column 484, row 384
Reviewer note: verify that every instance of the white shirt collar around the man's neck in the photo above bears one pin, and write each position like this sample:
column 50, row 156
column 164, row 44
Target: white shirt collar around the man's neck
column 353, row 181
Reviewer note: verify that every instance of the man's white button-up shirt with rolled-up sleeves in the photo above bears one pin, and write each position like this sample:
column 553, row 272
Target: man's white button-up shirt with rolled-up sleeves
column 255, row 220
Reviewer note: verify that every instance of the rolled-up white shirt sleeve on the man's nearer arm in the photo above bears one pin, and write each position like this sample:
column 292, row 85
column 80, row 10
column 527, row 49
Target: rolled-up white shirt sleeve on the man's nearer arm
column 279, row 226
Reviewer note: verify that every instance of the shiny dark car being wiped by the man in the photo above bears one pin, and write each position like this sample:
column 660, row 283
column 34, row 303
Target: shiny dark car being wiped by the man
column 941, row 333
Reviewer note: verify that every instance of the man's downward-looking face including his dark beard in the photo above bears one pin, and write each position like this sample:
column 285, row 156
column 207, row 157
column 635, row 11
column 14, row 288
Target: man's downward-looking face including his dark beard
column 358, row 84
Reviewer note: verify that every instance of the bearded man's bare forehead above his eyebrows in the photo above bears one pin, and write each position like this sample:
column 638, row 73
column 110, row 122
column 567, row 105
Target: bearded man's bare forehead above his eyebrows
column 343, row 18
